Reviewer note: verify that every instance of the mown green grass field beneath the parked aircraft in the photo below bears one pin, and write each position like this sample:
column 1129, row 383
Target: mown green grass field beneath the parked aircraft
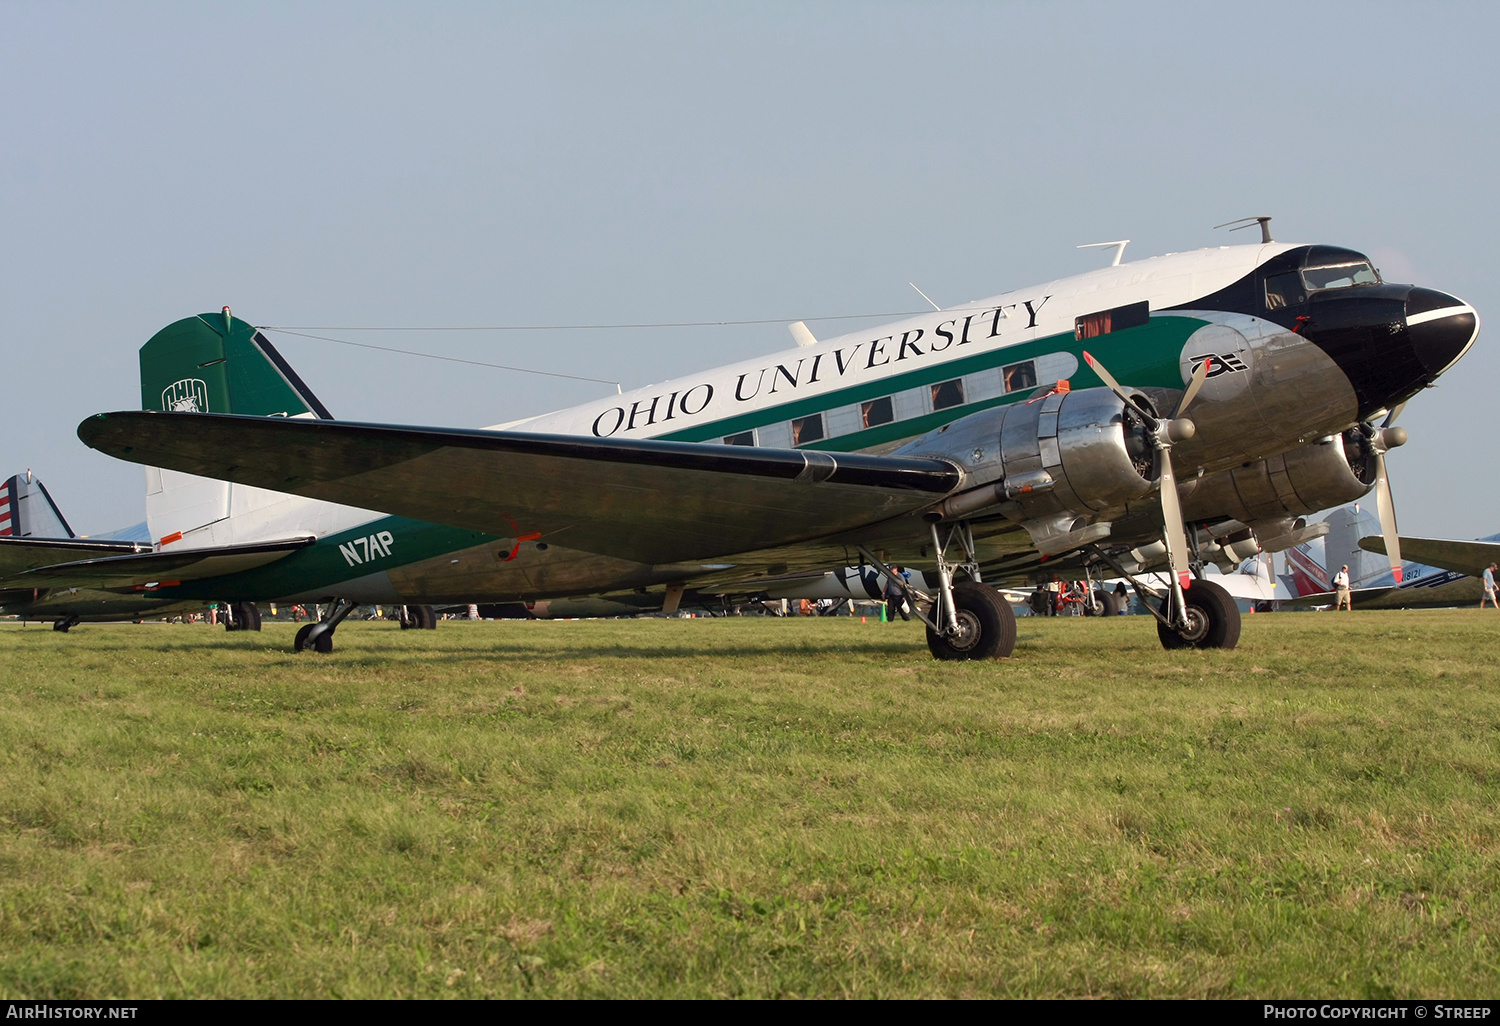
column 752, row 808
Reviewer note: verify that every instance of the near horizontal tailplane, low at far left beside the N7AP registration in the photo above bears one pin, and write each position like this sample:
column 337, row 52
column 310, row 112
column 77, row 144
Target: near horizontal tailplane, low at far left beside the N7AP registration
column 116, row 571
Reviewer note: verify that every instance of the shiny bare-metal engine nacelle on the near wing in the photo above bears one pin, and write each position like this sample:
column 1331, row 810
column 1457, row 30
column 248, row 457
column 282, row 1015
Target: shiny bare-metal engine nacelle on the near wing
column 1067, row 452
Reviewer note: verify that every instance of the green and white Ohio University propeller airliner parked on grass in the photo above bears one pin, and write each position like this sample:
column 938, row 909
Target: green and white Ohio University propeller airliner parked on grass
column 1157, row 415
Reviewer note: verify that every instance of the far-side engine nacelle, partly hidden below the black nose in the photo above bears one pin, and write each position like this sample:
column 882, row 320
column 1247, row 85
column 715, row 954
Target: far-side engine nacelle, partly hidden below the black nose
column 1328, row 473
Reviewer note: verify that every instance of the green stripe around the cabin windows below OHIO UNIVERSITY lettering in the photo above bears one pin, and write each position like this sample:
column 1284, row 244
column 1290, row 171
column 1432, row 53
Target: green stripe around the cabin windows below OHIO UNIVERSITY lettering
column 1141, row 356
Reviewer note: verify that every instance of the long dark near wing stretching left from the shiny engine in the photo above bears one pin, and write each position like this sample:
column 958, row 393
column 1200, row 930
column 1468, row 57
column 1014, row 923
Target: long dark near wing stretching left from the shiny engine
column 649, row 502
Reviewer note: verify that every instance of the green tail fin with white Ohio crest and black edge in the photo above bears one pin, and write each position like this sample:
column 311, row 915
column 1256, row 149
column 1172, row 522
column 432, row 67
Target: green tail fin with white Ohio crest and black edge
column 220, row 364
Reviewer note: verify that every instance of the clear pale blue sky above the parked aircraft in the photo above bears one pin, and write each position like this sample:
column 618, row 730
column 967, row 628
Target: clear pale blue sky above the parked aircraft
column 509, row 164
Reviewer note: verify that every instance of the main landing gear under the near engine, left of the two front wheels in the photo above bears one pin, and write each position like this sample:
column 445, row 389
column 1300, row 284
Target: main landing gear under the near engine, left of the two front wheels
column 967, row 620
